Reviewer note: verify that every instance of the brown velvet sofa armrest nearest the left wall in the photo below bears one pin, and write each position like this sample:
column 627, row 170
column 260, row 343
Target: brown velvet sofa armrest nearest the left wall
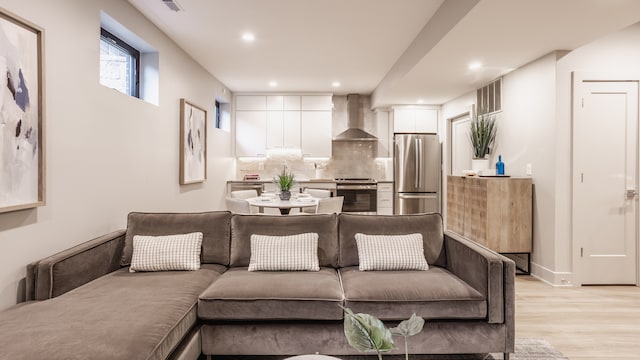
column 68, row 269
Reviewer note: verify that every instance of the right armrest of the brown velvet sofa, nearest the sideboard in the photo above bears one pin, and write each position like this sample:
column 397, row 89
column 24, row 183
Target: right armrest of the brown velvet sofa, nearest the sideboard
column 486, row 271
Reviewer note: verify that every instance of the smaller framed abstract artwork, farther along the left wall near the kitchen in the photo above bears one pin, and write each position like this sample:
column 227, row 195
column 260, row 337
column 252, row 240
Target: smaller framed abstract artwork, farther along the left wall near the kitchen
column 193, row 143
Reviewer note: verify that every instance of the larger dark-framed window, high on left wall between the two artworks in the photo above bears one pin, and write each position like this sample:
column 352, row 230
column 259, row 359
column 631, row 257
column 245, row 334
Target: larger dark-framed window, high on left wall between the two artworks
column 119, row 64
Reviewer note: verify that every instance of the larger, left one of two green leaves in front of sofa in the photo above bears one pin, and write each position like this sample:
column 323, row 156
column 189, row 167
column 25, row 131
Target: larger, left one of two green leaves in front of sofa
column 365, row 332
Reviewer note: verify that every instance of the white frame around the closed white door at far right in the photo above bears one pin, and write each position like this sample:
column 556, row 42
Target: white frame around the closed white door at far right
column 577, row 77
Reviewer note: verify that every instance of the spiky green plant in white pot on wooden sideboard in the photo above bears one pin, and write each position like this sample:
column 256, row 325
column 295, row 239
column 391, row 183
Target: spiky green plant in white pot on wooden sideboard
column 482, row 134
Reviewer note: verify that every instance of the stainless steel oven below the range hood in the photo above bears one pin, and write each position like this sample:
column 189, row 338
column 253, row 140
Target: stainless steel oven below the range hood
column 360, row 195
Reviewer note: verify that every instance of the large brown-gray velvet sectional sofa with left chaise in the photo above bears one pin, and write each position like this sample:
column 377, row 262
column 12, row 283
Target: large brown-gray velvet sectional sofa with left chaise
column 85, row 304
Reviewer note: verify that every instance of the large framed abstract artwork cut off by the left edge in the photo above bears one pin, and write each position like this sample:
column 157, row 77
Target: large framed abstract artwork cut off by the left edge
column 21, row 115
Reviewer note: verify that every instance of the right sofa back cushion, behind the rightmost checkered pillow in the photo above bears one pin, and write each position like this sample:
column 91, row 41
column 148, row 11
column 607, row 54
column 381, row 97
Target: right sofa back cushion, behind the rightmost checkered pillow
column 429, row 225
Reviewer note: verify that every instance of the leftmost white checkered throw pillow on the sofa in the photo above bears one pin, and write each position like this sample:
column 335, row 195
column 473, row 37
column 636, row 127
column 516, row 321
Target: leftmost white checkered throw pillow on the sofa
column 170, row 252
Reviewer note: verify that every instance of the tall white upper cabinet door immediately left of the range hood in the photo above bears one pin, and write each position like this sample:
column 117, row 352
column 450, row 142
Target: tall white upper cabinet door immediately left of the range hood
column 316, row 133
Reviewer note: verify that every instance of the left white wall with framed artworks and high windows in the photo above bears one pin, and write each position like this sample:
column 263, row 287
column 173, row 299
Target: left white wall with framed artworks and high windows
column 106, row 153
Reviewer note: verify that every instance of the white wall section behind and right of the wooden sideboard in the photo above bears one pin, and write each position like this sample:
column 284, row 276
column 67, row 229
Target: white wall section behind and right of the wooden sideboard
column 526, row 135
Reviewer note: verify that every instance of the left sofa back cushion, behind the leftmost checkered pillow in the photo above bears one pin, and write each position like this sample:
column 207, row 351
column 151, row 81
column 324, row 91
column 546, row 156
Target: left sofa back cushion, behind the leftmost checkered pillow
column 215, row 227
